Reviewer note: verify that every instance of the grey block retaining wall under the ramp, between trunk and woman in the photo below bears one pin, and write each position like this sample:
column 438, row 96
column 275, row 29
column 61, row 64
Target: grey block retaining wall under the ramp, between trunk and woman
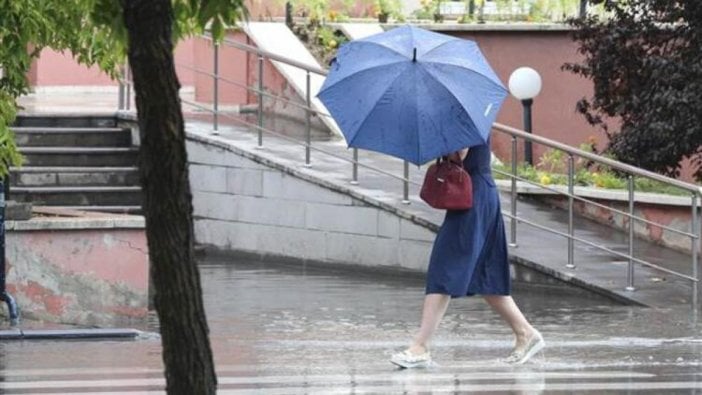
column 243, row 205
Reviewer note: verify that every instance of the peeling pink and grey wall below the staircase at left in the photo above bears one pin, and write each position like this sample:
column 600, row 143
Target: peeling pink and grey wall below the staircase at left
column 86, row 277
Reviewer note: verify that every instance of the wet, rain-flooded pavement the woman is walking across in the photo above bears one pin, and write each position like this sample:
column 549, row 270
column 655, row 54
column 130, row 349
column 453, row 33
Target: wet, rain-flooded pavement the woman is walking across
column 280, row 329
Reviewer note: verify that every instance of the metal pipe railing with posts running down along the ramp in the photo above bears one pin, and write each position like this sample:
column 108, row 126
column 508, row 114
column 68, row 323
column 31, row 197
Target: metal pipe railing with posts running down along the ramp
column 695, row 192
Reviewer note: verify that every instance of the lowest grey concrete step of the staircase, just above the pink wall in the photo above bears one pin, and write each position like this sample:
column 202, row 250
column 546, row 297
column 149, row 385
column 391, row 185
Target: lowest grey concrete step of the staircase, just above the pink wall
column 78, row 196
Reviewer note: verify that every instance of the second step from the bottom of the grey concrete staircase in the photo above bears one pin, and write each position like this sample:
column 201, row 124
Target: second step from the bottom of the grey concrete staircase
column 74, row 176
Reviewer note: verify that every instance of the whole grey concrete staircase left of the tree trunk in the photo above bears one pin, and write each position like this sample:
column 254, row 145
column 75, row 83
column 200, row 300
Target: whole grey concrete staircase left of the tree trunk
column 76, row 162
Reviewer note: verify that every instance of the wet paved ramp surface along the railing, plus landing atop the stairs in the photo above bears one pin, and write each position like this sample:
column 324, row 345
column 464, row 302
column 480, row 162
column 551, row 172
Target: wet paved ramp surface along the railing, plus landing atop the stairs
column 546, row 252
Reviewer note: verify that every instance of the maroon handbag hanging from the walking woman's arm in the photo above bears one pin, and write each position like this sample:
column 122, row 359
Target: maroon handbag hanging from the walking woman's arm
column 447, row 186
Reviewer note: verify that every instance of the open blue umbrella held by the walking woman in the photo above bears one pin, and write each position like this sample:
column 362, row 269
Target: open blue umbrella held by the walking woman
column 412, row 94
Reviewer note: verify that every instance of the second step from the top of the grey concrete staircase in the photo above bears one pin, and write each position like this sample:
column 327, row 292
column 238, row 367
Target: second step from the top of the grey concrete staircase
column 67, row 137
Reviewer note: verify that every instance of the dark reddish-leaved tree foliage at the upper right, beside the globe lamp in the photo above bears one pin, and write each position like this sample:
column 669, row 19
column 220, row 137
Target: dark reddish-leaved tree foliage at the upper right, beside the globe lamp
column 646, row 65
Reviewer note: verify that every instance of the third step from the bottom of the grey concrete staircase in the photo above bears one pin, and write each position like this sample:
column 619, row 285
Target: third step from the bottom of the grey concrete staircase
column 79, row 156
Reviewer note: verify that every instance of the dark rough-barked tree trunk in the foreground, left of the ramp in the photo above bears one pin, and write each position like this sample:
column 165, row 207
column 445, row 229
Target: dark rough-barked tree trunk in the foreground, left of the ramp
column 167, row 200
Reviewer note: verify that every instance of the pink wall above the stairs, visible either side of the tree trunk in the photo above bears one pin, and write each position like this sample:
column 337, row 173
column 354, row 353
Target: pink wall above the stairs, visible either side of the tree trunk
column 60, row 69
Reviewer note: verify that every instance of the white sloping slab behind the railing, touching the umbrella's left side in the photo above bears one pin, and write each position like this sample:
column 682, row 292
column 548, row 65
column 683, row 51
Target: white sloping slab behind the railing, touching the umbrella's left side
column 277, row 38
